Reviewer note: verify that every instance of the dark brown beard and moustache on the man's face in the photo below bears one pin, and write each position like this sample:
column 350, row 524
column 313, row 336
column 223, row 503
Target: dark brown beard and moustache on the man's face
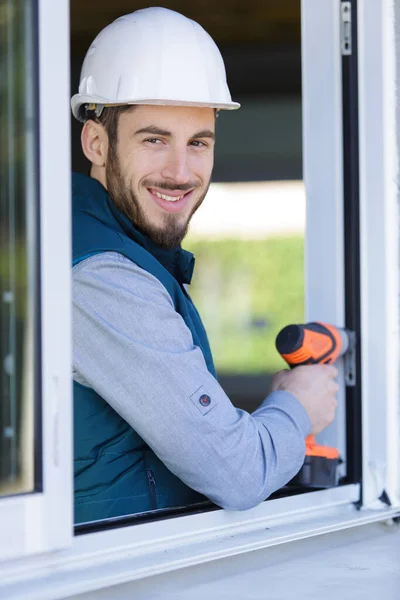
column 171, row 232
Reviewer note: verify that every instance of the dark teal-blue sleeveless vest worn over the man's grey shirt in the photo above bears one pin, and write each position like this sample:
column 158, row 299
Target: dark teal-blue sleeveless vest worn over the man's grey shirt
column 129, row 478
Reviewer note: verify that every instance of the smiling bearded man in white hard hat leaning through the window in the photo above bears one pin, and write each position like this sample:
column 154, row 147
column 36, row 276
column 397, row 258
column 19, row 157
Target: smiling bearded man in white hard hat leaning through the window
column 153, row 428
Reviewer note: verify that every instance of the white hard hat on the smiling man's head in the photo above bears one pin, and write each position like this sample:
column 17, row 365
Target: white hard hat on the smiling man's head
column 153, row 56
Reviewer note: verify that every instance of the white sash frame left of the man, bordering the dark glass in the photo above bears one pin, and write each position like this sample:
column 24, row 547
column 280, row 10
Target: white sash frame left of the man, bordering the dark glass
column 40, row 522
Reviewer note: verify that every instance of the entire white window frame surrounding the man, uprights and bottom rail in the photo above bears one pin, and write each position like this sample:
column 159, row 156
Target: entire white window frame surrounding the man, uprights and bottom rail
column 98, row 560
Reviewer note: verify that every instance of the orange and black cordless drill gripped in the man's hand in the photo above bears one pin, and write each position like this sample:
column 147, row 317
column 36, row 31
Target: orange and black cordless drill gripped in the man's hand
column 311, row 344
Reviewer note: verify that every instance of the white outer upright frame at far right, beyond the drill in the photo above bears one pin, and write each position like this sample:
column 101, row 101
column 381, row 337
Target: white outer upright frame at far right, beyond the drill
column 379, row 217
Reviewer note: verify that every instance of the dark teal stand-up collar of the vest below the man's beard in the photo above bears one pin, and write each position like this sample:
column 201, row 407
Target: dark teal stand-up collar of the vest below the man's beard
column 178, row 262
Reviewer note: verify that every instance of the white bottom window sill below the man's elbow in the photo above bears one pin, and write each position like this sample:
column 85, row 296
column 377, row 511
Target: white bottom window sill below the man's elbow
column 104, row 559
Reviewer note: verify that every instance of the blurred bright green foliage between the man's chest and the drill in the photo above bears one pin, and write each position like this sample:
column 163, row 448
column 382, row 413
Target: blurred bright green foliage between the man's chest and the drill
column 246, row 291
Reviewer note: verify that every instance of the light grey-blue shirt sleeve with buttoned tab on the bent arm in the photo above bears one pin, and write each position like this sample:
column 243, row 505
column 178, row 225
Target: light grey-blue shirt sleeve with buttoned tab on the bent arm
column 135, row 350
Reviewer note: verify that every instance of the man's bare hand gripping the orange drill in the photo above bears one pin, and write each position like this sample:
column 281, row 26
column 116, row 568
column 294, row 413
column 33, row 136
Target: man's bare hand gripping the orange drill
column 315, row 388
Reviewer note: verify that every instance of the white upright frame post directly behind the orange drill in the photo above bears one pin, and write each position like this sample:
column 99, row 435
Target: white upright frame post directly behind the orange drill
column 323, row 178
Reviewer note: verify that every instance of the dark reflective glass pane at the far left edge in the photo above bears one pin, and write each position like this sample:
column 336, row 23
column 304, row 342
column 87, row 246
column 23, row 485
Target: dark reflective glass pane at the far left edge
column 19, row 349
